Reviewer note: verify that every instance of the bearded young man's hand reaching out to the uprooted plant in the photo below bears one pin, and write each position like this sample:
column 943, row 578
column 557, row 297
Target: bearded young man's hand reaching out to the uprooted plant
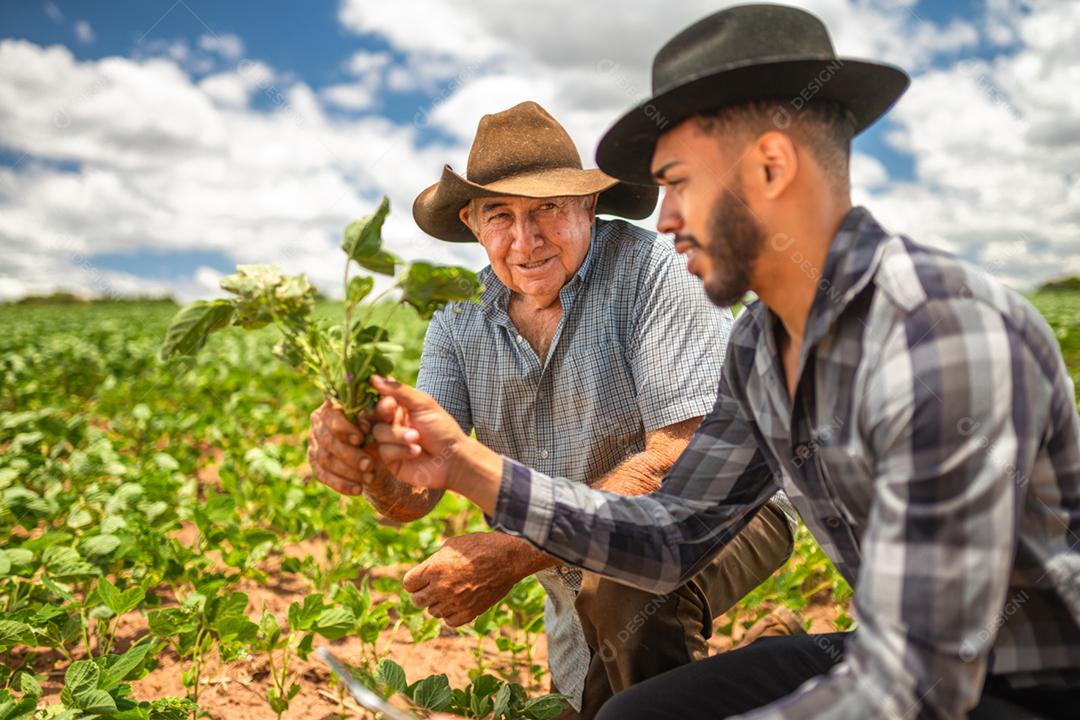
column 416, row 438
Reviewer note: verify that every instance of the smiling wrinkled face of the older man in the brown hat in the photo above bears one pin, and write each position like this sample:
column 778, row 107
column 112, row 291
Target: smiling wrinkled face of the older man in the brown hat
column 535, row 244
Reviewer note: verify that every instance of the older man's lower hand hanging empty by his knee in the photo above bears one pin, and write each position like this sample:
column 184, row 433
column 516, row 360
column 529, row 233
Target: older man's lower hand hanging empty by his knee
column 468, row 575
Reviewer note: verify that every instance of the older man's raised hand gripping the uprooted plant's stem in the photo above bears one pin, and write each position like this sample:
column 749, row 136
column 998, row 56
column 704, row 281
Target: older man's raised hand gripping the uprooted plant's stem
column 335, row 452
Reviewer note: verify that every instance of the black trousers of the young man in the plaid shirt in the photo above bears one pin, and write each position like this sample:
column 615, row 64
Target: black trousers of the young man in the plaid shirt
column 752, row 677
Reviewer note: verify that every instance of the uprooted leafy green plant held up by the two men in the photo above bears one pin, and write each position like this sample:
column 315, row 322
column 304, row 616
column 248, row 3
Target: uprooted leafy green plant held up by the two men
column 341, row 360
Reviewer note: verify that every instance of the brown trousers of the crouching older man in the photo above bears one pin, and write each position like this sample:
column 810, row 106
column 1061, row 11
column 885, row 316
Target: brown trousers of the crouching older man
column 634, row 635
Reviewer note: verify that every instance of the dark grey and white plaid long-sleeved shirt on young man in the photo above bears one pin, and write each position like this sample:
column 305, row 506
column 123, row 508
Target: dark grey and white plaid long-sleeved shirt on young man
column 933, row 449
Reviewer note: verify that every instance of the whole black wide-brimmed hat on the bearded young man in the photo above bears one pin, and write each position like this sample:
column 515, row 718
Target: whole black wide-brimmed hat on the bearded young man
column 742, row 55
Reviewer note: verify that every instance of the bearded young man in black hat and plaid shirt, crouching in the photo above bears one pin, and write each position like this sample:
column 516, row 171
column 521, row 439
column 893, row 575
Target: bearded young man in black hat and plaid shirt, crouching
column 917, row 413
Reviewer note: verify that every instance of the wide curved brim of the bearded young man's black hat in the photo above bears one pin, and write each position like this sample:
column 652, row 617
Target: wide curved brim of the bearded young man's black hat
column 867, row 89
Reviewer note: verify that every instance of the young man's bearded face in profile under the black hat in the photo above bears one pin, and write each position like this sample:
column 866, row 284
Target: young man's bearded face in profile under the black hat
column 707, row 211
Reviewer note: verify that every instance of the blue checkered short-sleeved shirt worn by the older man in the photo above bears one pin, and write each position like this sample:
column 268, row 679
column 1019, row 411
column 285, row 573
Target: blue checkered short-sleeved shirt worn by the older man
column 639, row 348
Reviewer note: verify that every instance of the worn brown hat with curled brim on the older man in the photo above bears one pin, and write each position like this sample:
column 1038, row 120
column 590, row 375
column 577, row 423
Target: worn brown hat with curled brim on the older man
column 524, row 153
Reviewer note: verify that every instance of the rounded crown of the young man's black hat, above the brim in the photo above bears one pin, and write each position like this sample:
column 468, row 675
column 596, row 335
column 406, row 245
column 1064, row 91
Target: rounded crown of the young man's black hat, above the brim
column 740, row 36
